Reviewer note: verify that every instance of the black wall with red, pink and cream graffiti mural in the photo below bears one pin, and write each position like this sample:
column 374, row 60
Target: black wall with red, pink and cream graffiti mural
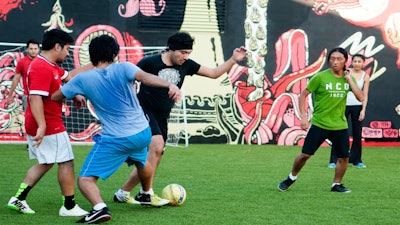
column 256, row 102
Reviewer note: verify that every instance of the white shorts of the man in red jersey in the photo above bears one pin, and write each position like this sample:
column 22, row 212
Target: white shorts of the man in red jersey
column 55, row 148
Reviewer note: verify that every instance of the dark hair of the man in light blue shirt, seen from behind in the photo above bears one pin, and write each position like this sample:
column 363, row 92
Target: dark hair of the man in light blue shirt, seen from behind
column 103, row 48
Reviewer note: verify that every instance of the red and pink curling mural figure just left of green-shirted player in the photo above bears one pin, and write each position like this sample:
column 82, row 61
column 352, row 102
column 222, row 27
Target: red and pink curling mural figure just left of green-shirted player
column 275, row 115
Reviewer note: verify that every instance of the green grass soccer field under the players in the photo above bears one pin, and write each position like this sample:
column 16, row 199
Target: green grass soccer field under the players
column 226, row 184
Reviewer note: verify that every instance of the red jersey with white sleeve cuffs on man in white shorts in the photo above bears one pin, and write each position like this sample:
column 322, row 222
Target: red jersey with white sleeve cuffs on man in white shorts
column 45, row 78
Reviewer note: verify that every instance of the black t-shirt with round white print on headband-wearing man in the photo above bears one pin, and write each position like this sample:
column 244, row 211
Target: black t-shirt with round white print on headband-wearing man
column 156, row 99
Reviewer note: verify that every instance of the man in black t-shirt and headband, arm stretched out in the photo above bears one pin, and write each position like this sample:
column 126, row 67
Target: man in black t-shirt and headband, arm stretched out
column 172, row 65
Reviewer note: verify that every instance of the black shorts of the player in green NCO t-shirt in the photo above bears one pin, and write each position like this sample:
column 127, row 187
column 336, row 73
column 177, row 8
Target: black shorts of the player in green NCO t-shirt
column 316, row 136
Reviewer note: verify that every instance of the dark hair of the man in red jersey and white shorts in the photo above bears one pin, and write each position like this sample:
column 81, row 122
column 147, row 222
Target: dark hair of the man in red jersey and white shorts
column 55, row 36
